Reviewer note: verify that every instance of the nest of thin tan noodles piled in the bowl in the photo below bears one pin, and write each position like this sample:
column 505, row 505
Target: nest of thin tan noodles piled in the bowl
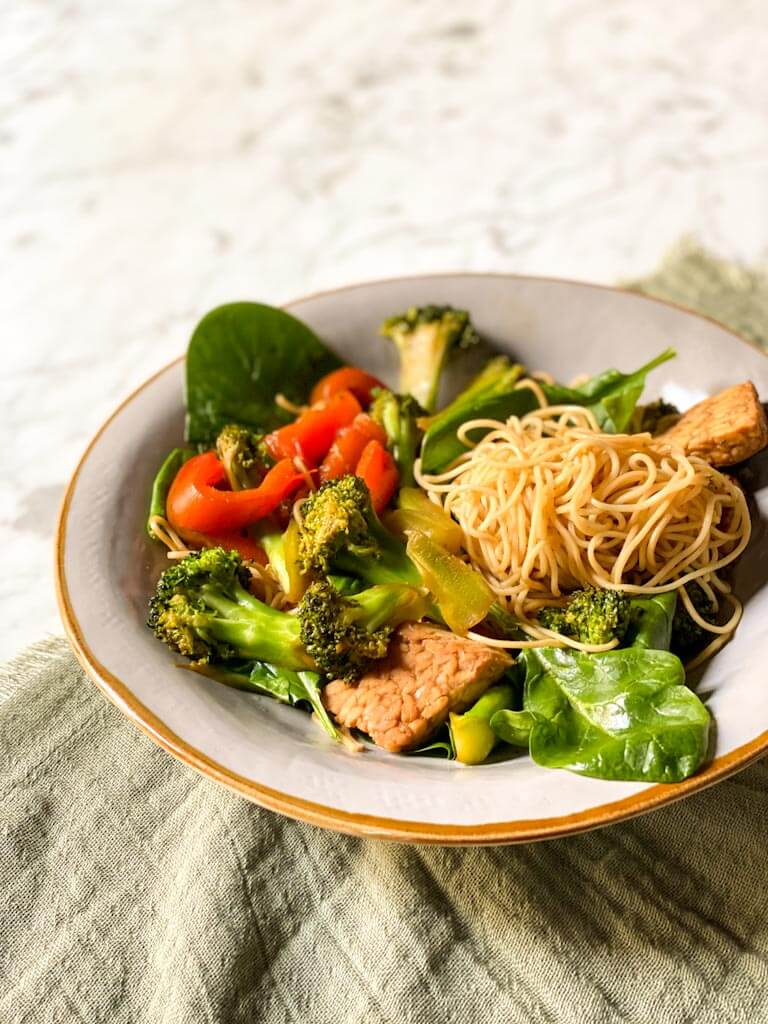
column 549, row 504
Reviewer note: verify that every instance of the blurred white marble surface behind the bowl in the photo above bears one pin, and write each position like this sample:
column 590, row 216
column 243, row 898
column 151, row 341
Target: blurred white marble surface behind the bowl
column 159, row 157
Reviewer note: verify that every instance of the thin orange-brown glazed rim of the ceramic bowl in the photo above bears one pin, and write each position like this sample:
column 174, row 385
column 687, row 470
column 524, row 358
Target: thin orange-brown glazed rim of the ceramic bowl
column 361, row 825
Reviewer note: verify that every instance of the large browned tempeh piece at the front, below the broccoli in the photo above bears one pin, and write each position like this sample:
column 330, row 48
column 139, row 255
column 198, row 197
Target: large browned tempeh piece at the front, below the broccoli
column 428, row 673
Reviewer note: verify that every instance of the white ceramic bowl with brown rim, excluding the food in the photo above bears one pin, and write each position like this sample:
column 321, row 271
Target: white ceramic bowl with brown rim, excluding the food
column 274, row 755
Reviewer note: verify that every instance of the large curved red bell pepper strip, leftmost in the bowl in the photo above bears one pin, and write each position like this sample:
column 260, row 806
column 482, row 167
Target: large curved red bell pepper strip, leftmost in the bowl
column 195, row 501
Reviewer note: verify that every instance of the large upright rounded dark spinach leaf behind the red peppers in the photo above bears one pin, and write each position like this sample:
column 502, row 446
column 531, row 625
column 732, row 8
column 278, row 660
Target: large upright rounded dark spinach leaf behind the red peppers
column 241, row 356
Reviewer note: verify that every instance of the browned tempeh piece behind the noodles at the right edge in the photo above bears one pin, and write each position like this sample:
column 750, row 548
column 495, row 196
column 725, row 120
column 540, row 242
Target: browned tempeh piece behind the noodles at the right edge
column 726, row 430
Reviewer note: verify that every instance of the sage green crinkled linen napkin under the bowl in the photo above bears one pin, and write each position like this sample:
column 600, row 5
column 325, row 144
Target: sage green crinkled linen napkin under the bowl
column 134, row 890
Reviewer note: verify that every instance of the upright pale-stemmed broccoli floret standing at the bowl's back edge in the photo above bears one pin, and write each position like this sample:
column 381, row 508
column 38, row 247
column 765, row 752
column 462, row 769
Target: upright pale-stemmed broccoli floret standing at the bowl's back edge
column 425, row 337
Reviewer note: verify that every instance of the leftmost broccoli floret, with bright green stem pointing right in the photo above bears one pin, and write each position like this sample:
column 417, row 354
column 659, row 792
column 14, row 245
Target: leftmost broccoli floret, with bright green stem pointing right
column 203, row 610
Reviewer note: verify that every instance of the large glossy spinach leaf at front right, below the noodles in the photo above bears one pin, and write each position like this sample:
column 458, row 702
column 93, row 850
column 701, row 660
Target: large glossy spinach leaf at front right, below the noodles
column 620, row 715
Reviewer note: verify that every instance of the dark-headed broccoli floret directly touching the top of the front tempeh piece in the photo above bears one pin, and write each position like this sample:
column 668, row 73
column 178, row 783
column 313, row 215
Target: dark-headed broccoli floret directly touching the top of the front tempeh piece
column 345, row 634
